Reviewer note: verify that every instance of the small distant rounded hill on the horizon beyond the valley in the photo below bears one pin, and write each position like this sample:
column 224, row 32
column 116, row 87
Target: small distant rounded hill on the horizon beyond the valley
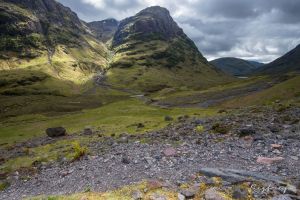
column 236, row 66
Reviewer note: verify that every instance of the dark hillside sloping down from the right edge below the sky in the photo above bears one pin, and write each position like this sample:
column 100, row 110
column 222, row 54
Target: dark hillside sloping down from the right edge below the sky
column 290, row 62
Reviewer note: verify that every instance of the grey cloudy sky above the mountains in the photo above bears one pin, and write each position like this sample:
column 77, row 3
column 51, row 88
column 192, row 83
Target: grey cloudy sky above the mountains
column 260, row 30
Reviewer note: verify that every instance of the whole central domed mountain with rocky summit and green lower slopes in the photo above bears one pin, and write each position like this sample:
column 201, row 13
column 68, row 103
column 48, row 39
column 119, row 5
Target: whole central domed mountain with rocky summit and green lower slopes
column 153, row 53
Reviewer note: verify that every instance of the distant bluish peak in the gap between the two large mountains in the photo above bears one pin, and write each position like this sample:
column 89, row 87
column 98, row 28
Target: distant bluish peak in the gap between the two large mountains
column 104, row 30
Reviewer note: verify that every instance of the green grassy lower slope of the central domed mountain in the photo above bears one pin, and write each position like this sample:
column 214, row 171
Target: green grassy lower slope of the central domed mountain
column 155, row 65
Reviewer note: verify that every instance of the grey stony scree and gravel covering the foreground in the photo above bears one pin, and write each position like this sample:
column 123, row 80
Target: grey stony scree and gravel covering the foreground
column 255, row 153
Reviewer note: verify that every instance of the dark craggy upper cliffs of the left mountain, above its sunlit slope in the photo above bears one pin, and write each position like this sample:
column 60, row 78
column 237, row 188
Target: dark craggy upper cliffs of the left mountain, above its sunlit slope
column 38, row 25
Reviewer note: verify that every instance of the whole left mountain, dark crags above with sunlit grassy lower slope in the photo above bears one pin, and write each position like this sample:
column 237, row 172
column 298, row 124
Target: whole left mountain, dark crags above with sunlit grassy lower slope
column 44, row 35
